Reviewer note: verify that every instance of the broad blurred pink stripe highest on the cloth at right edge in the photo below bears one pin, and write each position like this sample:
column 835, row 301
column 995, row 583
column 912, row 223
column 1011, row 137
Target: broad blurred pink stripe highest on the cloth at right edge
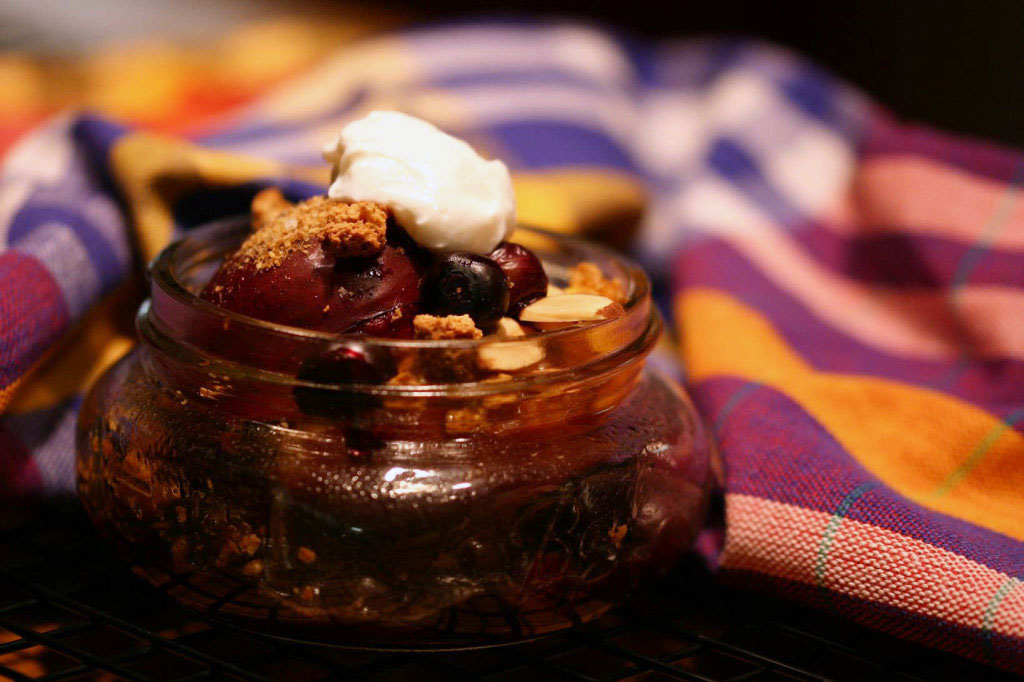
column 924, row 197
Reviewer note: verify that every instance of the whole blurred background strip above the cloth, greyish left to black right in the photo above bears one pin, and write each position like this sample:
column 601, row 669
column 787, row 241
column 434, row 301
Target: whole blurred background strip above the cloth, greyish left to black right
column 954, row 64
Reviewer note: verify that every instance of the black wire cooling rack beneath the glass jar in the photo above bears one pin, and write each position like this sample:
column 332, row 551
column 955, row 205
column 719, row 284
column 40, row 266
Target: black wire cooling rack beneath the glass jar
column 70, row 612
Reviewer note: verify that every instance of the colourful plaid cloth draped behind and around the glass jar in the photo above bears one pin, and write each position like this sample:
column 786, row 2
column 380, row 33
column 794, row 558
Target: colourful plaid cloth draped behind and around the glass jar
column 847, row 289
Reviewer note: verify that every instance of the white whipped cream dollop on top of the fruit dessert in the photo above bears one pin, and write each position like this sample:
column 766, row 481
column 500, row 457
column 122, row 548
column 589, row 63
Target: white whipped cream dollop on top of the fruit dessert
column 443, row 193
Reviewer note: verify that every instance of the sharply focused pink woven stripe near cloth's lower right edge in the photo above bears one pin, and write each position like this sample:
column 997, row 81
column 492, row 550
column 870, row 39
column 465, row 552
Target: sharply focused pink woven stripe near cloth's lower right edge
column 868, row 563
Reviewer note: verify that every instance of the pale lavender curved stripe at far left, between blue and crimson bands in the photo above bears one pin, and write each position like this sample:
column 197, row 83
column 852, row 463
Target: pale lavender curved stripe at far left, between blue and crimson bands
column 59, row 249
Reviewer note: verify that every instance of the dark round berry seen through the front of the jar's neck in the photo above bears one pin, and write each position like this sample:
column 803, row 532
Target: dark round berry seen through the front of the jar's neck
column 350, row 364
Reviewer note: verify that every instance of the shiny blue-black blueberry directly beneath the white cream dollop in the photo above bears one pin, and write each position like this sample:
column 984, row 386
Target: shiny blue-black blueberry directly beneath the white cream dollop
column 466, row 284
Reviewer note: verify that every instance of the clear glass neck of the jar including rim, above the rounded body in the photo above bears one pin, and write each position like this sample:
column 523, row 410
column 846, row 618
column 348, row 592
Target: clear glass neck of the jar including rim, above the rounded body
column 191, row 332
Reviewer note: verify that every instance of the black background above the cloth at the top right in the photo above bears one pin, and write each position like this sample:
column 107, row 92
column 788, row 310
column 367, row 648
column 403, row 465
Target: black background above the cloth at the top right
column 956, row 65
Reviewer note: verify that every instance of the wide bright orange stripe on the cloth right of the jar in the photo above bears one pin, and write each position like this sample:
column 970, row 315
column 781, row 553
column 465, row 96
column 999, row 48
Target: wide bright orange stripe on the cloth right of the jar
column 913, row 439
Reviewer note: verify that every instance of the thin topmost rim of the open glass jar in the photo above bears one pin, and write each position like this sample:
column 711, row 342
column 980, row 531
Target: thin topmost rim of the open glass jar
column 163, row 274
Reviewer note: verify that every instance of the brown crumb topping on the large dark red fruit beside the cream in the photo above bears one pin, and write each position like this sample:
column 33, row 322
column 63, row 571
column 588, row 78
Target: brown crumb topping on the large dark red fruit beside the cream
column 348, row 231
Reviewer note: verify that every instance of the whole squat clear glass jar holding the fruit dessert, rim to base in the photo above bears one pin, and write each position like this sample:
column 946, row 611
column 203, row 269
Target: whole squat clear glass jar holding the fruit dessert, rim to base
column 481, row 507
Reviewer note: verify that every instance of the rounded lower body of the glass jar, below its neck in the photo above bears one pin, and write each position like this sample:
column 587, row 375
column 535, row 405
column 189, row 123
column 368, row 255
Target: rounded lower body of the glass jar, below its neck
column 447, row 537
